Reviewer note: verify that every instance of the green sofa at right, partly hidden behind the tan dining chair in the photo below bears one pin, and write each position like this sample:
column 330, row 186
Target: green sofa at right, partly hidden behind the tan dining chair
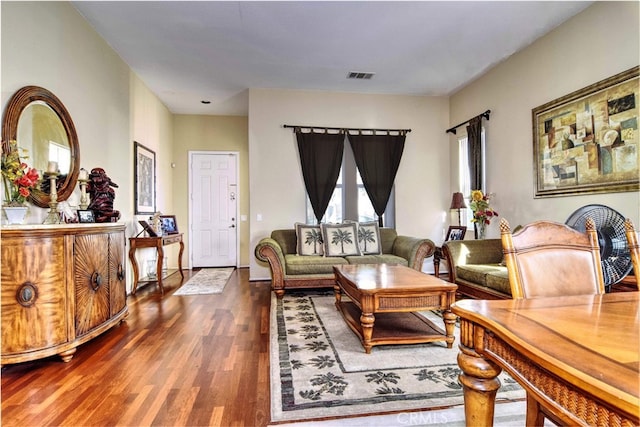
column 477, row 267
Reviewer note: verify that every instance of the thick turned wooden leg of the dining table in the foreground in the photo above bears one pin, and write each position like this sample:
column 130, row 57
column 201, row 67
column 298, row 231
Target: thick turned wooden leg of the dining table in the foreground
column 479, row 380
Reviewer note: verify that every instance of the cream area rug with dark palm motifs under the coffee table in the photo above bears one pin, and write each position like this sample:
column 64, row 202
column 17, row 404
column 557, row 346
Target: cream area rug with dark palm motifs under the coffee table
column 320, row 369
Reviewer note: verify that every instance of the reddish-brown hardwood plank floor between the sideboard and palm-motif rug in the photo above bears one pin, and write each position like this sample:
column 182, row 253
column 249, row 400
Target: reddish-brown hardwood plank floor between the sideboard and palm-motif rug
column 174, row 361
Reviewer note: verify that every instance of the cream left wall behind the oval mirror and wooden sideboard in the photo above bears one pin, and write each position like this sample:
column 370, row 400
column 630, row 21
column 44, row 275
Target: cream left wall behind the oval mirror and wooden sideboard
column 49, row 44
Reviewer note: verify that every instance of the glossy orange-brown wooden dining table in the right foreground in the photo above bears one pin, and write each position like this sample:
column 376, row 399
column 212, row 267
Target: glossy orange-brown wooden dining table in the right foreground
column 577, row 356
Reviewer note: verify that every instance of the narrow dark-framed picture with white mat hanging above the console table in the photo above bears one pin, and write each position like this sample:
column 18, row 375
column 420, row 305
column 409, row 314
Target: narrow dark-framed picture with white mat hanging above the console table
column 144, row 172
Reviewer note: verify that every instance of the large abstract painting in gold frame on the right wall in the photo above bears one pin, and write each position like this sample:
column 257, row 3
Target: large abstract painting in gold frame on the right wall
column 587, row 141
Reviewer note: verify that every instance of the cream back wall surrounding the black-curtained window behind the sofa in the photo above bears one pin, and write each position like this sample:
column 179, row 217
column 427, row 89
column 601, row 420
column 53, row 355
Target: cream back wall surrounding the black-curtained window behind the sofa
column 277, row 189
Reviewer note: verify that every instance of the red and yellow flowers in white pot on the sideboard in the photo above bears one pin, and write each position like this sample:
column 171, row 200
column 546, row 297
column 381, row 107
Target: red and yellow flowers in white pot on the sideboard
column 19, row 180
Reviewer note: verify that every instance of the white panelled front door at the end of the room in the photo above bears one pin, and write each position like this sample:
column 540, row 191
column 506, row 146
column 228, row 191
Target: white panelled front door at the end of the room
column 213, row 209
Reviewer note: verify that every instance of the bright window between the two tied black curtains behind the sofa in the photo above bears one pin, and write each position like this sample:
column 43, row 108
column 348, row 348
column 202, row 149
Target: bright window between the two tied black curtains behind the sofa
column 350, row 199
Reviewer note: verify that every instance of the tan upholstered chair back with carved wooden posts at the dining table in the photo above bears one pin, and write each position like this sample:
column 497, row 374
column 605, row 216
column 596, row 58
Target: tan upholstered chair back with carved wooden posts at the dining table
column 547, row 259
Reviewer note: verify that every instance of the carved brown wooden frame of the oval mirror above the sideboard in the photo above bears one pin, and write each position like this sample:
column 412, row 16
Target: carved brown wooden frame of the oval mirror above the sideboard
column 18, row 102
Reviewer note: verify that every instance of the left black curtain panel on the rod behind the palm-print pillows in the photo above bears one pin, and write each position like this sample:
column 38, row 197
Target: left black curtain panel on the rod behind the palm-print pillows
column 320, row 158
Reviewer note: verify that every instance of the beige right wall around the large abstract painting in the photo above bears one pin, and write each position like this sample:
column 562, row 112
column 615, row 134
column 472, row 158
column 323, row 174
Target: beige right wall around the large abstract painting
column 598, row 43
